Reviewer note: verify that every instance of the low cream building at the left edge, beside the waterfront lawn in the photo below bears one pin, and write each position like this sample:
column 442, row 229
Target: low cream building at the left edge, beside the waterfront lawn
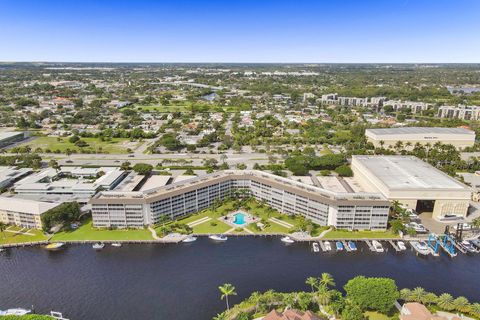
column 22, row 212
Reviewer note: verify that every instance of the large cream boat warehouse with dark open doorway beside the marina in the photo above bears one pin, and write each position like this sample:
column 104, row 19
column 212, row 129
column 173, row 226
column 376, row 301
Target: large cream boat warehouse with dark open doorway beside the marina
column 412, row 182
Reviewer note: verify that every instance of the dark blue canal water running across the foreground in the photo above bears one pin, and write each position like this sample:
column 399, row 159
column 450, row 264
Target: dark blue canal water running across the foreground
column 180, row 281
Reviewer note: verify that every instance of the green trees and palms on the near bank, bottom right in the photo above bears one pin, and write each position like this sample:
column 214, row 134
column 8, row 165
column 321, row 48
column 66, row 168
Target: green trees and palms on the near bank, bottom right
column 361, row 298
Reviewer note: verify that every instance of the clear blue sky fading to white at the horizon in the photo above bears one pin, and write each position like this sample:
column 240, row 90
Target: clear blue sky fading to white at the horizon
column 240, row 31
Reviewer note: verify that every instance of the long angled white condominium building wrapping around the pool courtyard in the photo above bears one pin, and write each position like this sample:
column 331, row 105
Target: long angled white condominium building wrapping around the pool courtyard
column 340, row 209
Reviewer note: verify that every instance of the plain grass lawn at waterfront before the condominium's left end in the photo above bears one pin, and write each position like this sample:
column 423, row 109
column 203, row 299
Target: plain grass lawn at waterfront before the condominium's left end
column 87, row 232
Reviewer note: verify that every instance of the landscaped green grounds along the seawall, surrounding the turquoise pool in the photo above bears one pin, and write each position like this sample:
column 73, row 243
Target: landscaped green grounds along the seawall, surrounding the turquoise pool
column 205, row 222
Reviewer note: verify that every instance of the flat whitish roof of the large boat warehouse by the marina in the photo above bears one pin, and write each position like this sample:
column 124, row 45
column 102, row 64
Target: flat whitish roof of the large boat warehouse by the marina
column 407, row 172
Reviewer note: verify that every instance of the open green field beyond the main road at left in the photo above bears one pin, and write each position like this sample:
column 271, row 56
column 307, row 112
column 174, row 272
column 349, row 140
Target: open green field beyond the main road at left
column 116, row 145
